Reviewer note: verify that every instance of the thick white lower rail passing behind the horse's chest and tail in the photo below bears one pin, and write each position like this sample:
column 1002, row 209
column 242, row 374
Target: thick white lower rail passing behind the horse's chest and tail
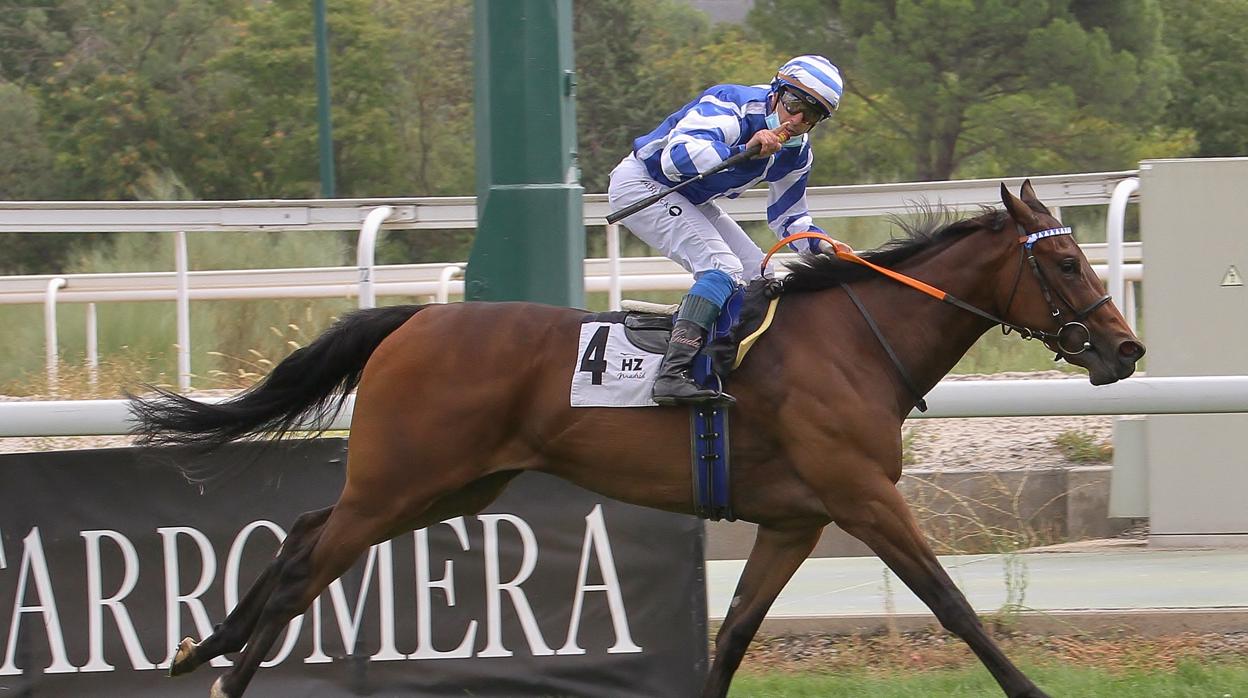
column 1189, row 395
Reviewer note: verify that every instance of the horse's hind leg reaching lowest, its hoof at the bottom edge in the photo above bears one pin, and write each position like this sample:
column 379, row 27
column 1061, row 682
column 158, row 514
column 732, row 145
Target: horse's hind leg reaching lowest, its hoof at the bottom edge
column 354, row 526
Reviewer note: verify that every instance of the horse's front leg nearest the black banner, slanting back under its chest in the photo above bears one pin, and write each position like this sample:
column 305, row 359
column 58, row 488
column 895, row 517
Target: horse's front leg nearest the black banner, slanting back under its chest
column 776, row 556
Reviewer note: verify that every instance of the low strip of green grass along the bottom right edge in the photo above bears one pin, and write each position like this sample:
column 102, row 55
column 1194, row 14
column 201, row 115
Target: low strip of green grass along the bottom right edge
column 1190, row 680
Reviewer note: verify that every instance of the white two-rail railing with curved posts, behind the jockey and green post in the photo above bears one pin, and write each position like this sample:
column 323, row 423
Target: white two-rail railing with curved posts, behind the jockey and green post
column 456, row 213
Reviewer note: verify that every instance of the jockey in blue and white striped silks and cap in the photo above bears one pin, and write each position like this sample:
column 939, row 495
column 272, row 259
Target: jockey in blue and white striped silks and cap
column 691, row 229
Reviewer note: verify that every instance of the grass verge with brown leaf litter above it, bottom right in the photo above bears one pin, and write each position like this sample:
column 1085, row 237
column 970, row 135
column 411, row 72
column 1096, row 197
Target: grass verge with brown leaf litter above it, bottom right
column 935, row 664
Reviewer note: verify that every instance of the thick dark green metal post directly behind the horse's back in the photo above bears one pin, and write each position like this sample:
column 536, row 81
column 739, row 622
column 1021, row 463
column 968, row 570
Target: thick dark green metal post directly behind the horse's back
column 531, row 238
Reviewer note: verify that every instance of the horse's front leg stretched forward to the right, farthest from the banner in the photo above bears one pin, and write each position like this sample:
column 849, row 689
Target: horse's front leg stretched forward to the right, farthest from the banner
column 879, row 518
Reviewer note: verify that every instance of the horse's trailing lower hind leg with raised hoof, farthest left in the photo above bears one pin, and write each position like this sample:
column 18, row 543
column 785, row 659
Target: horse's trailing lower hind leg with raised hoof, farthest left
column 233, row 634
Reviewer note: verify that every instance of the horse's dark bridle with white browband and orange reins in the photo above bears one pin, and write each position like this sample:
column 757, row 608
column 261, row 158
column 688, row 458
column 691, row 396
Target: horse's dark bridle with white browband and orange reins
column 1071, row 338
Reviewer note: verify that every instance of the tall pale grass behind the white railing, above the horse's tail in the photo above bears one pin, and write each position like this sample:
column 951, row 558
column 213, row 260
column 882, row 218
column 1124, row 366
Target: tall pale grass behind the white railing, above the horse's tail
column 145, row 333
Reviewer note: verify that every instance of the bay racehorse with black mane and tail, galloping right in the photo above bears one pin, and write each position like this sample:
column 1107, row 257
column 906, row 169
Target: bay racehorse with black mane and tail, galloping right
column 818, row 421
